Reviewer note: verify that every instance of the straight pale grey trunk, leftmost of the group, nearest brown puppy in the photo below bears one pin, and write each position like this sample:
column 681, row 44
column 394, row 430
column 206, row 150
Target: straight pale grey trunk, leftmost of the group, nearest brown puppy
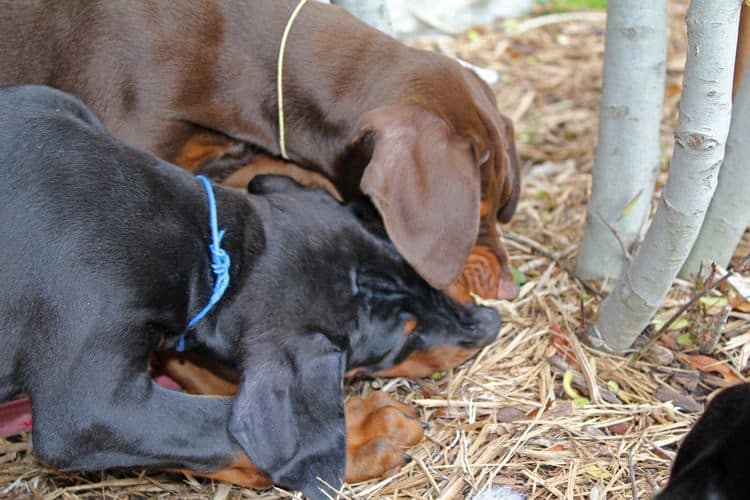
column 628, row 153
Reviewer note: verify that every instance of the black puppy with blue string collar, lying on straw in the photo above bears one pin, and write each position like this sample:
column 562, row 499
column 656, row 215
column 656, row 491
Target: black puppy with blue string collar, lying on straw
column 104, row 258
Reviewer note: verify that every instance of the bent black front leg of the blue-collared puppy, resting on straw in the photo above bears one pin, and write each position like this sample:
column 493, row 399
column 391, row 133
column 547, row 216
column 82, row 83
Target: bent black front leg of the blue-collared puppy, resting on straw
column 102, row 423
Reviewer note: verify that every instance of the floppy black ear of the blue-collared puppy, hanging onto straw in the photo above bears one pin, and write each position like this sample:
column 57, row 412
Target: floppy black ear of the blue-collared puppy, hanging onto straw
column 288, row 415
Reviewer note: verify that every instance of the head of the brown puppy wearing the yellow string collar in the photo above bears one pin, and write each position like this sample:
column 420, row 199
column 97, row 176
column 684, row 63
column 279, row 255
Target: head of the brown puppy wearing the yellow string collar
column 434, row 165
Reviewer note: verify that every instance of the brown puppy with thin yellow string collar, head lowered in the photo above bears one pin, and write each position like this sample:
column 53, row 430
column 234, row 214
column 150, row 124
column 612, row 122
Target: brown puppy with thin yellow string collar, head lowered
column 413, row 130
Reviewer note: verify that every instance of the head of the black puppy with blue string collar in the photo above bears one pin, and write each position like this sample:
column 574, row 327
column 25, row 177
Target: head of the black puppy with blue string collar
column 337, row 296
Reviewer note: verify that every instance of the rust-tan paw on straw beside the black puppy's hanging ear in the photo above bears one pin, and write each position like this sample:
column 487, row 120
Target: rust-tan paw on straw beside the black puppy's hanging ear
column 378, row 430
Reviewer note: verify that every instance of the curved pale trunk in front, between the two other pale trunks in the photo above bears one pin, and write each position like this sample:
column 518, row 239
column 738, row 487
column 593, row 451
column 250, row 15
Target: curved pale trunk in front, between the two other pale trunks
column 700, row 138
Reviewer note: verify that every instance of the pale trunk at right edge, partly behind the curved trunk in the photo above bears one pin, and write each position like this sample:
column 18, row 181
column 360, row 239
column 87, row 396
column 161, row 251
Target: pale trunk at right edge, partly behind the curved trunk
column 729, row 212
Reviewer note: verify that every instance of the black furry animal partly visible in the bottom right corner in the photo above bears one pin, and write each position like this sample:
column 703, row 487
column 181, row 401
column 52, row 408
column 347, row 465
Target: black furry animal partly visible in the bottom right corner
column 714, row 460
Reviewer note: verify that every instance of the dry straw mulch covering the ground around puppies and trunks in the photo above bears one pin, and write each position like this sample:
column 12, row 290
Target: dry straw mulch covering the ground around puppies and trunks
column 505, row 420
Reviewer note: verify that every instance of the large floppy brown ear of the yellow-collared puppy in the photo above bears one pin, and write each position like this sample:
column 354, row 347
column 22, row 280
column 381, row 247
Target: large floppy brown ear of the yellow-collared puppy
column 424, row 180
